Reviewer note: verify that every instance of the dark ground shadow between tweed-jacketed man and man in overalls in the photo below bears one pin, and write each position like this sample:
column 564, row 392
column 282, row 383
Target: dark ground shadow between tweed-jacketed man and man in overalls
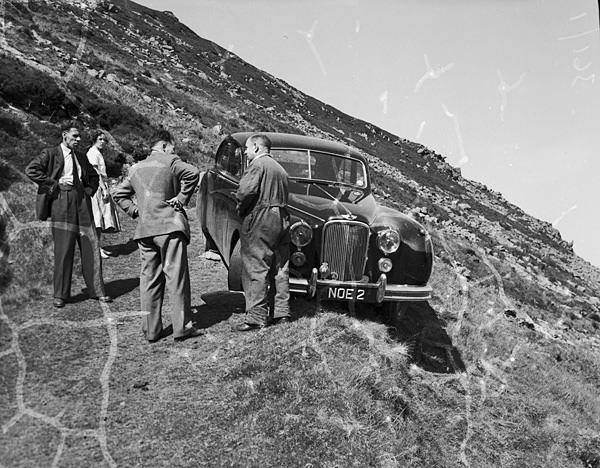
column 218, row 307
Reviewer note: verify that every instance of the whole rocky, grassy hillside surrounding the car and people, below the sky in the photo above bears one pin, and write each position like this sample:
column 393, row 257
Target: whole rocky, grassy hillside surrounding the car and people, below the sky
column 500, row 368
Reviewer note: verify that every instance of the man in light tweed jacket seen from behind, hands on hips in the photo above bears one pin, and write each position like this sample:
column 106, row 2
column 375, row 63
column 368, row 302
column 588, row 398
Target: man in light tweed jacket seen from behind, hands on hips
column 162, row 185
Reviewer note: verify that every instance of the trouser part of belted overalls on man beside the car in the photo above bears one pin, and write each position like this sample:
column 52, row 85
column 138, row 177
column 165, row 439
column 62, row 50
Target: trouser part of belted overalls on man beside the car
column 265, row 264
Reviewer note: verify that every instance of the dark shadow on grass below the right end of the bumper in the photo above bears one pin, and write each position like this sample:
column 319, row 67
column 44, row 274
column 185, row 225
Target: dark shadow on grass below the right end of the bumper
column 431, row 348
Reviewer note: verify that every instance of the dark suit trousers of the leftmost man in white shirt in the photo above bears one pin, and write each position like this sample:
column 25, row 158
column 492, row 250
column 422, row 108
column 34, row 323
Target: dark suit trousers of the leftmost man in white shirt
column 72, row 223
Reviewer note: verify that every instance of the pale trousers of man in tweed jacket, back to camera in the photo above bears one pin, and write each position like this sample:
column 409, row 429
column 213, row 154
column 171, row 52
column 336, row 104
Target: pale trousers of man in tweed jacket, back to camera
column 164, row 262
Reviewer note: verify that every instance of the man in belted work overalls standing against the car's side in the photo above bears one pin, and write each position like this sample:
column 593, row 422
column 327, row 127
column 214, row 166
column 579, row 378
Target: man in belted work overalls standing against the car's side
column 262, row 199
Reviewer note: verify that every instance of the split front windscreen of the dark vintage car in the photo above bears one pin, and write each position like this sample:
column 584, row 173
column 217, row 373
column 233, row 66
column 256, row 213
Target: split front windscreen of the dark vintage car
column 322, row 167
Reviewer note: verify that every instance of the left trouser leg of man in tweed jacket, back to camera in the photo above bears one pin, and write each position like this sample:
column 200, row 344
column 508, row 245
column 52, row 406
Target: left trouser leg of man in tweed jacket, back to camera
column 152, row 286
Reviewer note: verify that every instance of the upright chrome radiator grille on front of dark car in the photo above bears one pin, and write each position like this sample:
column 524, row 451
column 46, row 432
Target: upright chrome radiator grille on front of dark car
column 345, row 245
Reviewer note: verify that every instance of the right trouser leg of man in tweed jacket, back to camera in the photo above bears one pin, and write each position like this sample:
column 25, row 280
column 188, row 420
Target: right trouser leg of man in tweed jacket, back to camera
column 175, row 267
